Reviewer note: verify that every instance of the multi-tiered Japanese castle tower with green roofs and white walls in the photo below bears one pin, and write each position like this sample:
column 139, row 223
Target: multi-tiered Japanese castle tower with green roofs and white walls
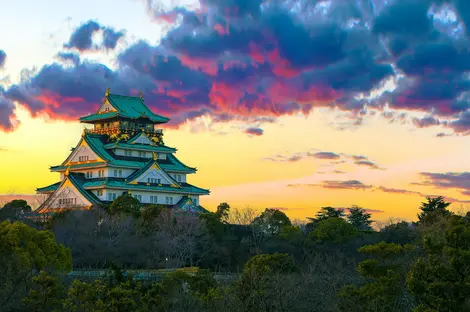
column 123, row 153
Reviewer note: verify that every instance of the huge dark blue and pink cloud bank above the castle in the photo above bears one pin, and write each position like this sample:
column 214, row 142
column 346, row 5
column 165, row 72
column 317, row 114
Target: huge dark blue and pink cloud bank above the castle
column 242, row 59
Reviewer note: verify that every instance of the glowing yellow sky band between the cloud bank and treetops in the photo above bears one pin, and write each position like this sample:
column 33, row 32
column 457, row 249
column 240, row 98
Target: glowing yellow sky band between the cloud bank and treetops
column 236, row 169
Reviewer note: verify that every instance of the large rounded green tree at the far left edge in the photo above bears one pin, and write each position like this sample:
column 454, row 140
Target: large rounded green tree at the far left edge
column 24, row 250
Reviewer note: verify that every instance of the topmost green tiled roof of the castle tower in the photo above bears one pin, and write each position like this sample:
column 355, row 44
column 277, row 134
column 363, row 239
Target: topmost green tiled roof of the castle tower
column 127, row 107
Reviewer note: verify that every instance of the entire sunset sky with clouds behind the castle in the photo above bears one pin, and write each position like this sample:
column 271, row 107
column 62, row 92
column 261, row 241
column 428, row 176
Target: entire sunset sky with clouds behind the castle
column 284, row 104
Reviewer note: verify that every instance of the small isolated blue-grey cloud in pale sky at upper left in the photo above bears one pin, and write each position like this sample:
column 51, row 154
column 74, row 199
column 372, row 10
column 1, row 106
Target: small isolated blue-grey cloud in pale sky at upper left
column 82, row 38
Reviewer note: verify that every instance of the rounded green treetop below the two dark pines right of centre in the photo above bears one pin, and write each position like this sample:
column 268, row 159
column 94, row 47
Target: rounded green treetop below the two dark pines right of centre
column 333, row 230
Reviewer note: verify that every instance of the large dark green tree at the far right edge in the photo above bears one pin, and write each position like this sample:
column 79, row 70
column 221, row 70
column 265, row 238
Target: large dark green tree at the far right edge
column 441, row 279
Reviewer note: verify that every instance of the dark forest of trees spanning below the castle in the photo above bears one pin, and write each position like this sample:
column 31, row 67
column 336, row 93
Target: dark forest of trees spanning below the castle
column 233, row 260
